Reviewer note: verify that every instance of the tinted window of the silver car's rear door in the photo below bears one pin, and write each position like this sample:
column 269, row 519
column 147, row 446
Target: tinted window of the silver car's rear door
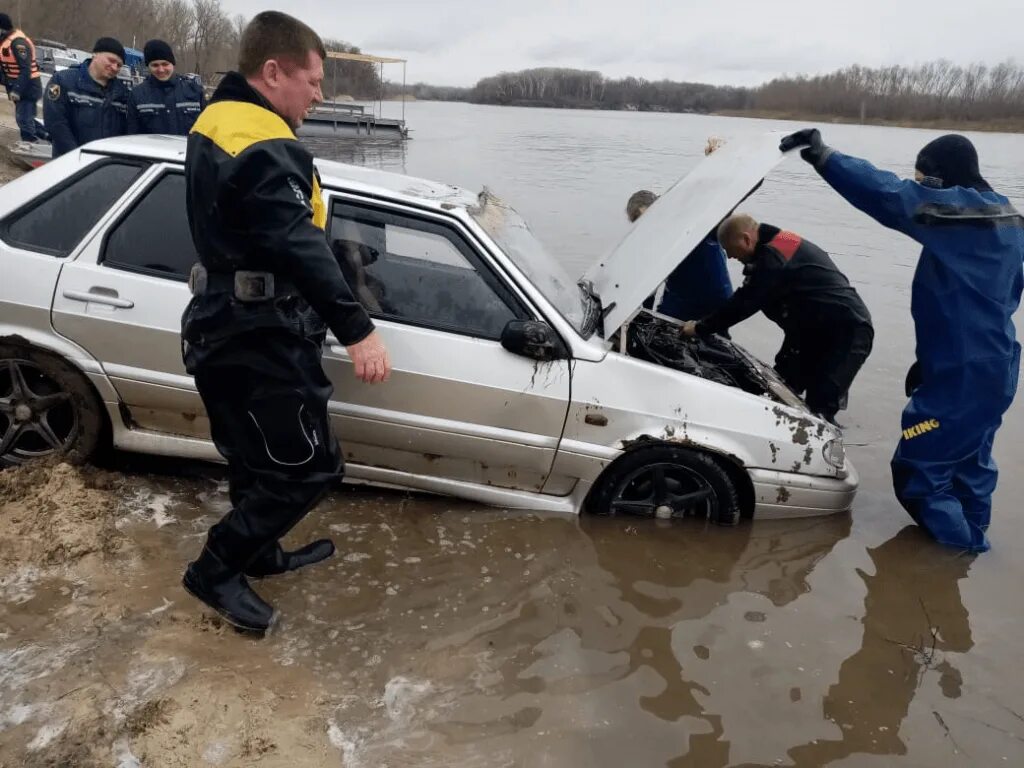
column 154, row 236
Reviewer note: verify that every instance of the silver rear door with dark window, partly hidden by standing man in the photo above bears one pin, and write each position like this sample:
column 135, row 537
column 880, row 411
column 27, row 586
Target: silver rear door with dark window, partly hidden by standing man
column 123, row 297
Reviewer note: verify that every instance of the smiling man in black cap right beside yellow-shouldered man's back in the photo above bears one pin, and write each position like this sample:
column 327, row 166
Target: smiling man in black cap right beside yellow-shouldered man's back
column 164, row 103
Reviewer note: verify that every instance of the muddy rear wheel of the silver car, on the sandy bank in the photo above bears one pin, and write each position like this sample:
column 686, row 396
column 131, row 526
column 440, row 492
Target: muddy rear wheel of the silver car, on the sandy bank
column 48, row 409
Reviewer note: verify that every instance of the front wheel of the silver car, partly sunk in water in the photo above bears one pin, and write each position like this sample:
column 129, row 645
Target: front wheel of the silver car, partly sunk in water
column 667, row 482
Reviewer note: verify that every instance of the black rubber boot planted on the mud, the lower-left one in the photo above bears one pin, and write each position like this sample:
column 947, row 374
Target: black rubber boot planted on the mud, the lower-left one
column 225, row 590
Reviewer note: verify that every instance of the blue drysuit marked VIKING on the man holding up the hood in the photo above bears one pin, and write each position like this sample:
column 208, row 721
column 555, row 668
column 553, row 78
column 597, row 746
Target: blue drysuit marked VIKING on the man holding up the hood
column 966, row 289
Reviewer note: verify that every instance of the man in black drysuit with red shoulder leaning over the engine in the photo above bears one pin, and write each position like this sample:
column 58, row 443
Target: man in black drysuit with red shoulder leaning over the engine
column 829, row 332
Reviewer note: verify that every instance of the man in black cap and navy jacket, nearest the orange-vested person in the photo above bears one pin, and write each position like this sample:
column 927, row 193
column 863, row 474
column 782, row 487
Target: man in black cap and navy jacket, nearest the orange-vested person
column 89, row 103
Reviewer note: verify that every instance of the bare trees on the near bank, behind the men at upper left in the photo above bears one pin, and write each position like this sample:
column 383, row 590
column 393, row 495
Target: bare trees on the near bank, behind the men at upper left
column 204, row 37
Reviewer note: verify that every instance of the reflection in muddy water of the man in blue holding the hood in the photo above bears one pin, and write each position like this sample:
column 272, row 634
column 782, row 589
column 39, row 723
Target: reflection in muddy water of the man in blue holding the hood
column 914, row 616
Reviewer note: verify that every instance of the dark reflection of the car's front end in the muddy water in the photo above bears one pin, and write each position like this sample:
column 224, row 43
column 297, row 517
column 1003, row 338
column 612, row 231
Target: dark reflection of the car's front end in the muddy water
column 680, row 575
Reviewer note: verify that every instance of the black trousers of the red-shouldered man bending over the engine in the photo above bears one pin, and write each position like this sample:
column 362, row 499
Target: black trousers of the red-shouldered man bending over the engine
column 825, row 364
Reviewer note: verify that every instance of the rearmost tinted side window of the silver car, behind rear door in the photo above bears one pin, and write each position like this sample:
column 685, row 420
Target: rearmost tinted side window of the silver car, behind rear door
column 56, row 223
